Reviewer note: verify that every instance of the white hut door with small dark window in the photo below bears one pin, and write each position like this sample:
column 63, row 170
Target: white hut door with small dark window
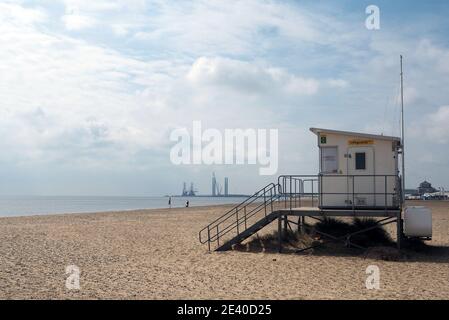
column 361, row 180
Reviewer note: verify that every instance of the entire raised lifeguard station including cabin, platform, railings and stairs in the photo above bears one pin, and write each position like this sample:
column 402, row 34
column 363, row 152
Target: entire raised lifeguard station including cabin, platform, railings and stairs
column 358, row 177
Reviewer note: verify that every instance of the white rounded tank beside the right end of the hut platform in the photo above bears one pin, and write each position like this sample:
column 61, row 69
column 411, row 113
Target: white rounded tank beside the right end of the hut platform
column 418, row 222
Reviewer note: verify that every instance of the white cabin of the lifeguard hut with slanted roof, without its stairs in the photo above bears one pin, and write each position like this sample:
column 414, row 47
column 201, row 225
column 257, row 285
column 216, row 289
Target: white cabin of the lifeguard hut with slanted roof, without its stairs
column 358, row 170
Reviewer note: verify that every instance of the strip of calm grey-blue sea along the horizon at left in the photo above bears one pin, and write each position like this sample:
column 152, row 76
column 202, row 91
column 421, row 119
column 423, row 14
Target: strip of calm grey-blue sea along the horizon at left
column 11, row 206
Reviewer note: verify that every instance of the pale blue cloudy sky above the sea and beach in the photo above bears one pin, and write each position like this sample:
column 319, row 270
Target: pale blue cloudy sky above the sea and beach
column 91, row 90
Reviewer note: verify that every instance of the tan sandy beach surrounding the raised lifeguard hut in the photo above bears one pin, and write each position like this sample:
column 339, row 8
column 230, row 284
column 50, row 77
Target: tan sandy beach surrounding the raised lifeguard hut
column 155, row 254
